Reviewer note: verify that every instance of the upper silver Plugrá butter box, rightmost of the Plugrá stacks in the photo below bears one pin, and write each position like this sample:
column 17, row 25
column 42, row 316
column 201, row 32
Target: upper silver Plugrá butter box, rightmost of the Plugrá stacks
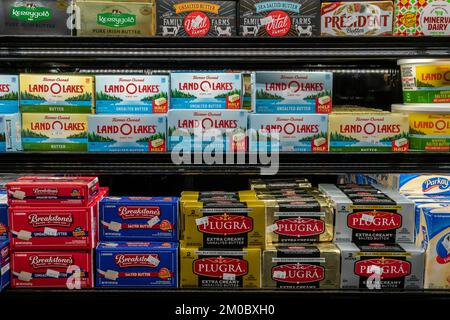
column 363, row 217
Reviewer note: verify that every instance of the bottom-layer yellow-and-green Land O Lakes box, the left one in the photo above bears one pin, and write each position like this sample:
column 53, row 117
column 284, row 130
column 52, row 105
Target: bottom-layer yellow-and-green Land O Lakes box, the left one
column 54, row 132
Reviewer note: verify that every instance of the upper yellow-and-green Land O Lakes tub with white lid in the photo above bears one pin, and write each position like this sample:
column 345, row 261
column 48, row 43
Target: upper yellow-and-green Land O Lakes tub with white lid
column 425, row 80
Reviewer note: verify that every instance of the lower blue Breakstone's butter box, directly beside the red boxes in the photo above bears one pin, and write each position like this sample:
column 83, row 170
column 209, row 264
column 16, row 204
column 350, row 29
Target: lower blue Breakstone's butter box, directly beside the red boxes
column 137, row 265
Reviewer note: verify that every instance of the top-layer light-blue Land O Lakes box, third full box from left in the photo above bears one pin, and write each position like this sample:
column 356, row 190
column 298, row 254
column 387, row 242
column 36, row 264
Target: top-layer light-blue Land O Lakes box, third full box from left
column 205, row 90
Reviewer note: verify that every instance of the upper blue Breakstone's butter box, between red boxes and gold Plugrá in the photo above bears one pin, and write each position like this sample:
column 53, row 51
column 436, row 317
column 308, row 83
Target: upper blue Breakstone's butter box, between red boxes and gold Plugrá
column 138, row 219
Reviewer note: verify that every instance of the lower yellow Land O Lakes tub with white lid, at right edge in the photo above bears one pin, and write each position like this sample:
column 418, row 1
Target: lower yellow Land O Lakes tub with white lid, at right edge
column 429, row 126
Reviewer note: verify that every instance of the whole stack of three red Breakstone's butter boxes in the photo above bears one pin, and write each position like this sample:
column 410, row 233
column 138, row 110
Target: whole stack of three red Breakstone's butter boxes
column 53, row 230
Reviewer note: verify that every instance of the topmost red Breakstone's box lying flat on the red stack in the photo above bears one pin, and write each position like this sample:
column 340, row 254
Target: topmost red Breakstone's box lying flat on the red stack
column 54, row 191
